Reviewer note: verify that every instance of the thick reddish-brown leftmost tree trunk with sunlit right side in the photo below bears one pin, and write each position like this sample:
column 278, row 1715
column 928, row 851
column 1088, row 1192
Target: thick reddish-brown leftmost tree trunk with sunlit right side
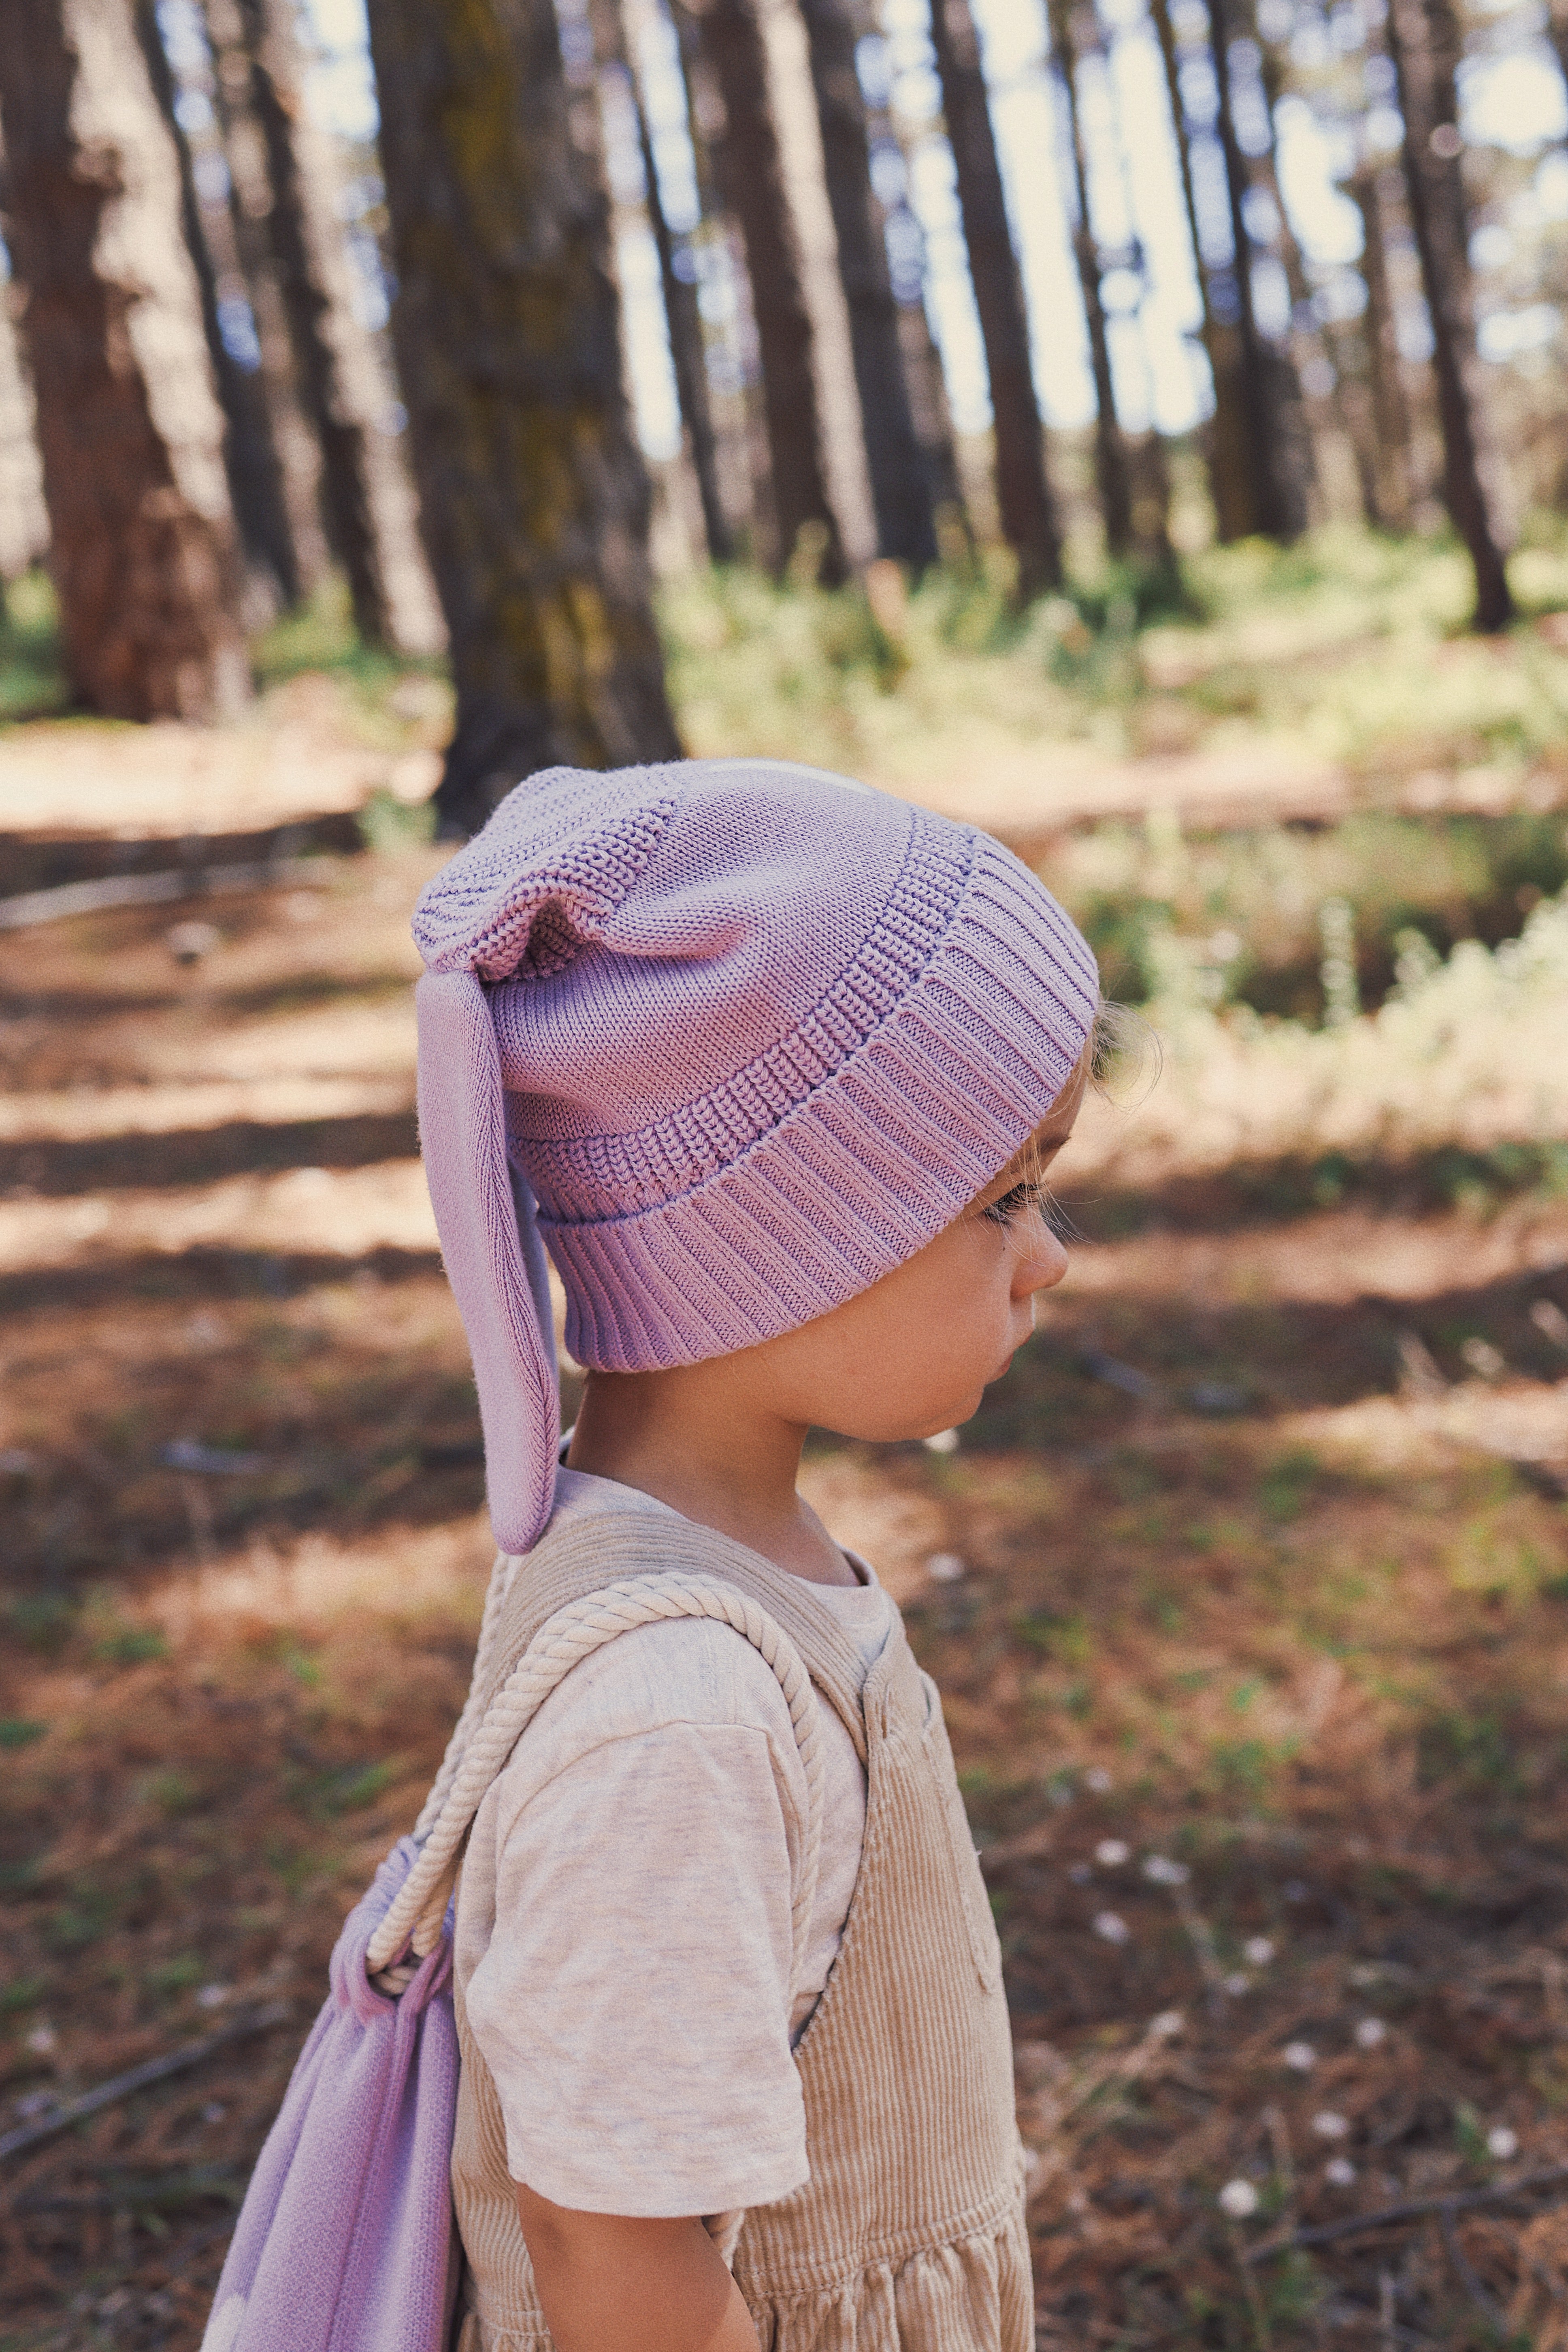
column 128, row 425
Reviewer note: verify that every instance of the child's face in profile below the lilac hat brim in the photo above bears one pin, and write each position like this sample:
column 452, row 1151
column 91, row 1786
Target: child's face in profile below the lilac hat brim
column 916, row 1351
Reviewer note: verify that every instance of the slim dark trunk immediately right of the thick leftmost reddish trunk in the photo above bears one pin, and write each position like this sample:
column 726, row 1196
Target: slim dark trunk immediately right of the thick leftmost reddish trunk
column 250, row 453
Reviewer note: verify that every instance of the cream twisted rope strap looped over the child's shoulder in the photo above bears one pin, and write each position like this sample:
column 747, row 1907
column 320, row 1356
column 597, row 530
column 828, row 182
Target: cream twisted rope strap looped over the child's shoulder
column 483, row 1744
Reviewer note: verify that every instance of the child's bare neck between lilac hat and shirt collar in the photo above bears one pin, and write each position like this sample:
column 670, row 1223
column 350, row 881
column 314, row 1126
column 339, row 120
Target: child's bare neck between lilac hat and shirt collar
column 692, row 1445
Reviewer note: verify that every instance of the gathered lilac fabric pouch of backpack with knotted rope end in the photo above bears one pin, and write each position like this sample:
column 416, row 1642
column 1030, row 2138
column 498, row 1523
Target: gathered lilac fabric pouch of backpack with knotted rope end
column 347, row 2238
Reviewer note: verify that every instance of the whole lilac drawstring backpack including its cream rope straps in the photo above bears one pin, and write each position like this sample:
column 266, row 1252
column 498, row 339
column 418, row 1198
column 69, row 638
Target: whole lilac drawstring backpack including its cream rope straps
column 347, row 2238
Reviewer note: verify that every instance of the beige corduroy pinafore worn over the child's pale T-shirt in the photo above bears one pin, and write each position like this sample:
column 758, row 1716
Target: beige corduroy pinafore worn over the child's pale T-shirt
column 909, row 2236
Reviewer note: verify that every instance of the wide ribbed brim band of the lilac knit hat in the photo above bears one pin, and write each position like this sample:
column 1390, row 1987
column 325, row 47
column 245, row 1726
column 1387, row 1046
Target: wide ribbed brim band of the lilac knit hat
column 869, row 1168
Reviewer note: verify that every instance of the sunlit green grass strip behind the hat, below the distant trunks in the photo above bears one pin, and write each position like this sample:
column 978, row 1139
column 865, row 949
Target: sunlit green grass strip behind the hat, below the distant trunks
column 1348, row 643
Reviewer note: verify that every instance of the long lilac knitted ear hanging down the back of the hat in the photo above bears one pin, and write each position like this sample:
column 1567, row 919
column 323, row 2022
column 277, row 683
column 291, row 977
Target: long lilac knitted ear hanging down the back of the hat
column 492, row 1250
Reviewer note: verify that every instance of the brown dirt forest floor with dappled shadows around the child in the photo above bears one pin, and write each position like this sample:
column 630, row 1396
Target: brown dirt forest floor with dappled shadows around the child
column 1245, row 1591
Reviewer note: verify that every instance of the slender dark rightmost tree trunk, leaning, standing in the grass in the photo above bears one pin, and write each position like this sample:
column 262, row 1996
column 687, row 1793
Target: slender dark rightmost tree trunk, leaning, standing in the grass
column 1423, row 44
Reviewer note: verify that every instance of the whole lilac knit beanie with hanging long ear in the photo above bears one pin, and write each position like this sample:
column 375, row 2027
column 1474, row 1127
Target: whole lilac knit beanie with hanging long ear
column 737, row 1038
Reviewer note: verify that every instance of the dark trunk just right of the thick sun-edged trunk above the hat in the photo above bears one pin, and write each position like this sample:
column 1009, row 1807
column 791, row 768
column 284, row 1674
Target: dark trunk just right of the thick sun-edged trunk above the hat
column 902, row 493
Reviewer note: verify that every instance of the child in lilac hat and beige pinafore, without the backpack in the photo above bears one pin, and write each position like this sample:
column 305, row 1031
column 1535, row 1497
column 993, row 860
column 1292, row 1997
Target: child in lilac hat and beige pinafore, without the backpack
column 775, row 1064
